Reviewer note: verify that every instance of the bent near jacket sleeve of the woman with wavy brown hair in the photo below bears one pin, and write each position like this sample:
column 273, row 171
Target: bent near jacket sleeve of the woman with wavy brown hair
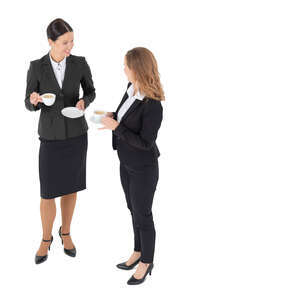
column 152, row 118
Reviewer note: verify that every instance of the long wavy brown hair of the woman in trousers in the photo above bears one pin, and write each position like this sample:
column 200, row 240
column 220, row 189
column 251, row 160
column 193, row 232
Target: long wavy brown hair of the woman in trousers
column 144, row 66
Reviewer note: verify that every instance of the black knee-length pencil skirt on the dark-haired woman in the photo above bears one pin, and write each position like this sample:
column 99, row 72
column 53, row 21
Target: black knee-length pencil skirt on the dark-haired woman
column 62, row 166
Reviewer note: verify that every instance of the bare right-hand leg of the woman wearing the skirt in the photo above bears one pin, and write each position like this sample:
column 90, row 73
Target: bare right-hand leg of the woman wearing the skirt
column 67, row 204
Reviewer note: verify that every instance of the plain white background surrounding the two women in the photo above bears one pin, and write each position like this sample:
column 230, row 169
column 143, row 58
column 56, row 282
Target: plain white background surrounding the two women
column 227, row 204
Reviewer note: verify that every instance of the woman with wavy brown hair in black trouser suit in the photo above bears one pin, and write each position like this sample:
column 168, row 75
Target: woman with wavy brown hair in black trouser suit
column 135, row 125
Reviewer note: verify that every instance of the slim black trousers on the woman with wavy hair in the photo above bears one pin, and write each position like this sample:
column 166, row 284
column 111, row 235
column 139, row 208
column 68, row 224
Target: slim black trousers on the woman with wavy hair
column 139, row 184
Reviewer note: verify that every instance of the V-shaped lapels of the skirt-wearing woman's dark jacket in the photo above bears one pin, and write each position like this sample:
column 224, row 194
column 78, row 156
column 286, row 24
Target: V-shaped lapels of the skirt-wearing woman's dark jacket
column 49, row 73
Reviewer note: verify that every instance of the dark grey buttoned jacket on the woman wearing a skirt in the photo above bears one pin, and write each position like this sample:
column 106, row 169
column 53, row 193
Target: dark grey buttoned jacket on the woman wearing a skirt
column 41, row 79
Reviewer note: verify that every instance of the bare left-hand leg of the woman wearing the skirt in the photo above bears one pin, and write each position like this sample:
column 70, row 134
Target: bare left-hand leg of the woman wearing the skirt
column 48, row 213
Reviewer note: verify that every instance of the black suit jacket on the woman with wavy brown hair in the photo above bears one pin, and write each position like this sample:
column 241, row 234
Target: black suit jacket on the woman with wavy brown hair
column 135, row 136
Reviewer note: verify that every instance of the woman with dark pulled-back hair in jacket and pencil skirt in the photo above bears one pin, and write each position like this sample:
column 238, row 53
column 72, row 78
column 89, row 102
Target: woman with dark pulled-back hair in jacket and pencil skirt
column 63, row 146
